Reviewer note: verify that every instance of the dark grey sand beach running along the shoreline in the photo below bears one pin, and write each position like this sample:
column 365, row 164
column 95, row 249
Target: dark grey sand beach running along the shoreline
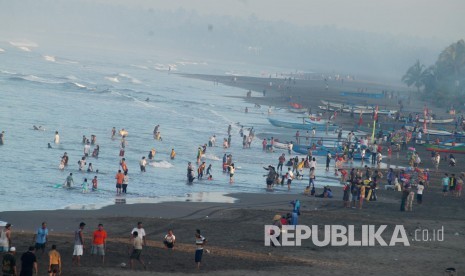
column 235, row 231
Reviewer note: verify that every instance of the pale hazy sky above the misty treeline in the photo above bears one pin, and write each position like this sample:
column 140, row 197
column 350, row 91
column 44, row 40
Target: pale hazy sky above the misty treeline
column 425, row 18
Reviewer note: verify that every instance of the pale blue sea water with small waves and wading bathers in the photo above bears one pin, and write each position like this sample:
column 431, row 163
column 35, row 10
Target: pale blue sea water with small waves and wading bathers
column 88, row 96
